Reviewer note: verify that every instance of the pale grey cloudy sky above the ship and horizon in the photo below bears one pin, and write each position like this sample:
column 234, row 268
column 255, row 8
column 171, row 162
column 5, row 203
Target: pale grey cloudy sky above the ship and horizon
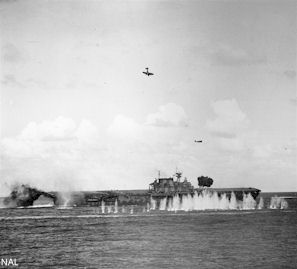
column 77, row 113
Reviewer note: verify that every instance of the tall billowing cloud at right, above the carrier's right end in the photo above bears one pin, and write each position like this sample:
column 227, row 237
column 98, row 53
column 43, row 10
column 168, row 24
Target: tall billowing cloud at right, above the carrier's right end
column 243, row 154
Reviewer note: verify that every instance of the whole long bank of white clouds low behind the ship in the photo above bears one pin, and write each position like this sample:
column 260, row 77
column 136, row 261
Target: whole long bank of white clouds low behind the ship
column 65, row 155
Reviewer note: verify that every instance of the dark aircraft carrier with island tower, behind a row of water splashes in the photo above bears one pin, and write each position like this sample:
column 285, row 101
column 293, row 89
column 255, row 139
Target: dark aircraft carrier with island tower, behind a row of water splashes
column 159, row 189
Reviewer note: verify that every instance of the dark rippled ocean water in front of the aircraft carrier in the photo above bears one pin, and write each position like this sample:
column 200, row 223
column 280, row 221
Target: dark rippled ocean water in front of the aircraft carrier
column 136, row 238
